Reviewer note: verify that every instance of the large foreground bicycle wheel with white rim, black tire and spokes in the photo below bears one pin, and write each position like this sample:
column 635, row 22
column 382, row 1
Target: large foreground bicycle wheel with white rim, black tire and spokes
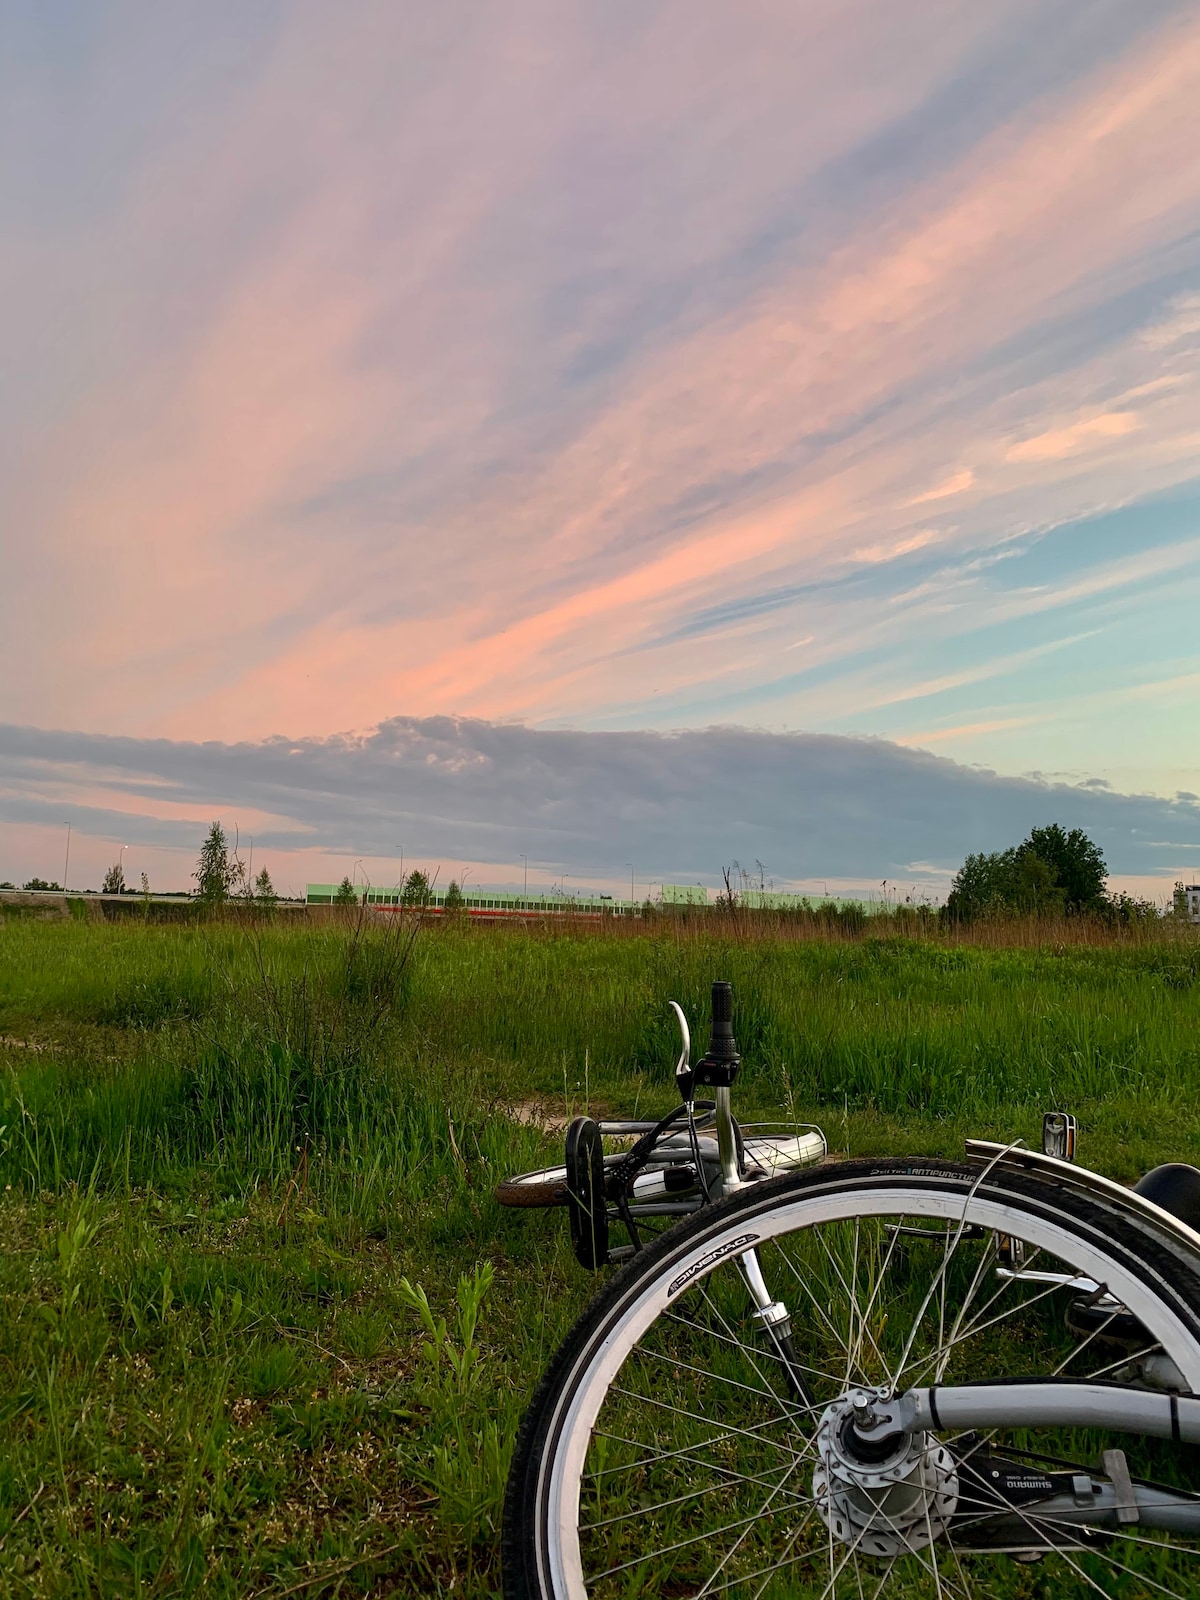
column 670, row 1452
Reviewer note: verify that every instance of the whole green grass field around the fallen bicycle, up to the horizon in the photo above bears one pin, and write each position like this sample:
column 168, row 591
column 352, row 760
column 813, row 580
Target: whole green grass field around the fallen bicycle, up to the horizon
column 265, row 1329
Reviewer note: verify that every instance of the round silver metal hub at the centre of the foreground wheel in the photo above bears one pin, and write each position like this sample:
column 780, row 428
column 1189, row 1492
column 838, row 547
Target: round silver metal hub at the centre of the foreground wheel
column 881, row 1497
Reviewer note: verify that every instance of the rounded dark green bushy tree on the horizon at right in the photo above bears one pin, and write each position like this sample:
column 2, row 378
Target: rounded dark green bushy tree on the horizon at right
column 1052, row 873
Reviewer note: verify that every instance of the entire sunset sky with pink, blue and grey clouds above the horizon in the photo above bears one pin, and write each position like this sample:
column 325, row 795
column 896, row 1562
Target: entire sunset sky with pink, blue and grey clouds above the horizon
column 521, row 380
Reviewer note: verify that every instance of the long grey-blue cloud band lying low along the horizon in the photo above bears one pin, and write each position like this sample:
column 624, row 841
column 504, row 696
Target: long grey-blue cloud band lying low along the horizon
column 689, row 802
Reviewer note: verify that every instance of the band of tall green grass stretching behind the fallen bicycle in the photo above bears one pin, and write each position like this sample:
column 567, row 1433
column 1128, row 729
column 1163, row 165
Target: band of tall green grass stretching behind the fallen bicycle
column 233, row 1046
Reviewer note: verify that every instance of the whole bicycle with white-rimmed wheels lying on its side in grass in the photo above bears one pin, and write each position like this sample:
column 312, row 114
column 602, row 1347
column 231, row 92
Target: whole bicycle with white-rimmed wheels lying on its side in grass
column 860, row 1378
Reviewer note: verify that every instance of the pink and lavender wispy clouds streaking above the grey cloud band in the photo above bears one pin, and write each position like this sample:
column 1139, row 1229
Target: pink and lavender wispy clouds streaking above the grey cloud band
column 574, row 364
